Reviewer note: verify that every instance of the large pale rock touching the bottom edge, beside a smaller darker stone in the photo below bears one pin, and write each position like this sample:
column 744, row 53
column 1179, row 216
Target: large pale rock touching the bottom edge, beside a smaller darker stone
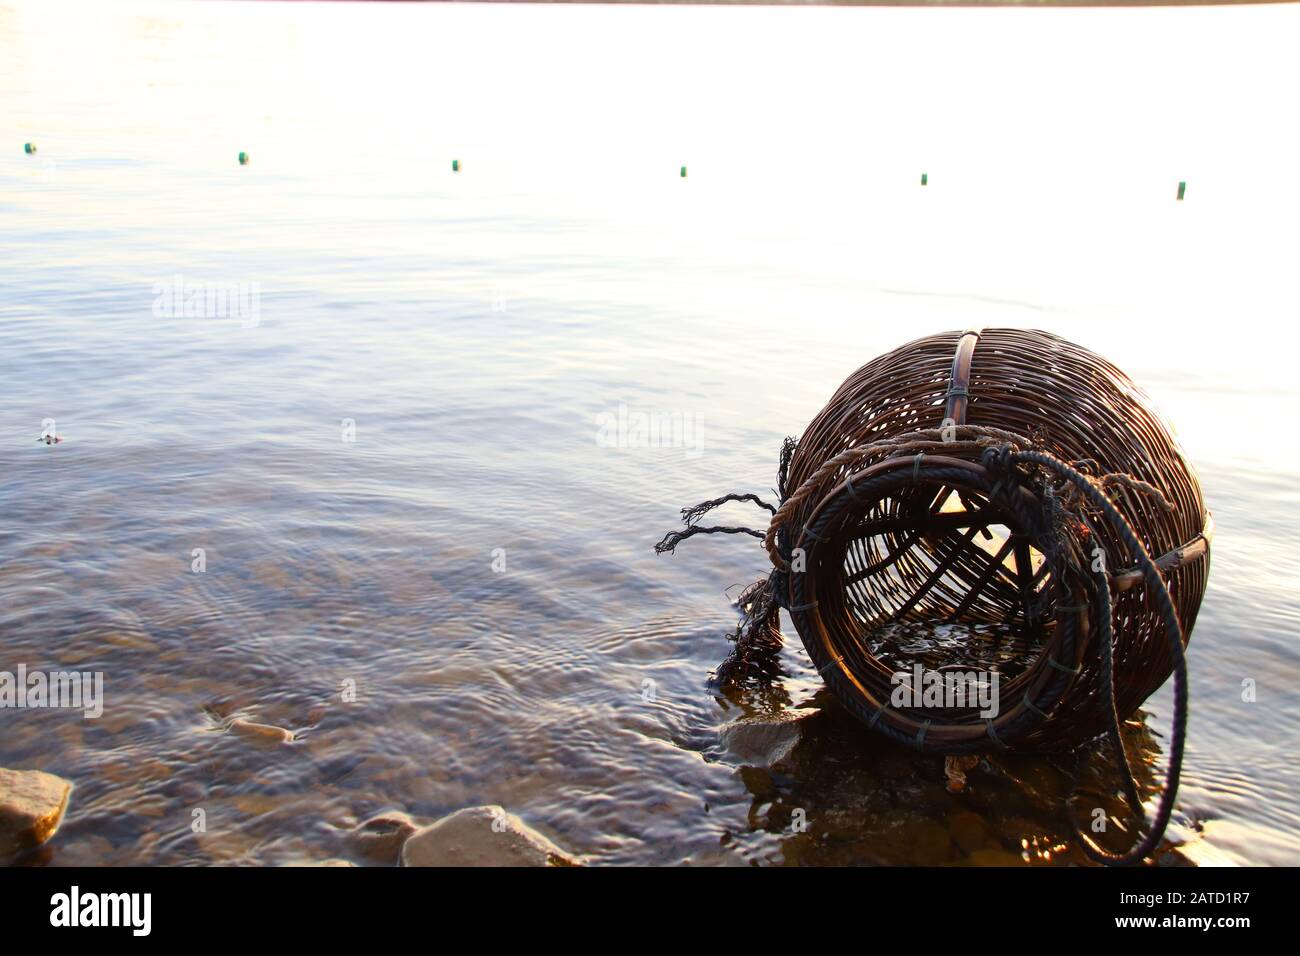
column 482, row 837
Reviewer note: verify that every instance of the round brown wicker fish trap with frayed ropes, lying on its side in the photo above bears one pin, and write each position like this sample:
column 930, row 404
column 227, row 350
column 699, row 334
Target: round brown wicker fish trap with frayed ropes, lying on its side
column 993, row 503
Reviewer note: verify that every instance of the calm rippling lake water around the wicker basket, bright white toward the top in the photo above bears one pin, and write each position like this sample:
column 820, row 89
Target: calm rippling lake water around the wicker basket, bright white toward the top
column 466, row 553
